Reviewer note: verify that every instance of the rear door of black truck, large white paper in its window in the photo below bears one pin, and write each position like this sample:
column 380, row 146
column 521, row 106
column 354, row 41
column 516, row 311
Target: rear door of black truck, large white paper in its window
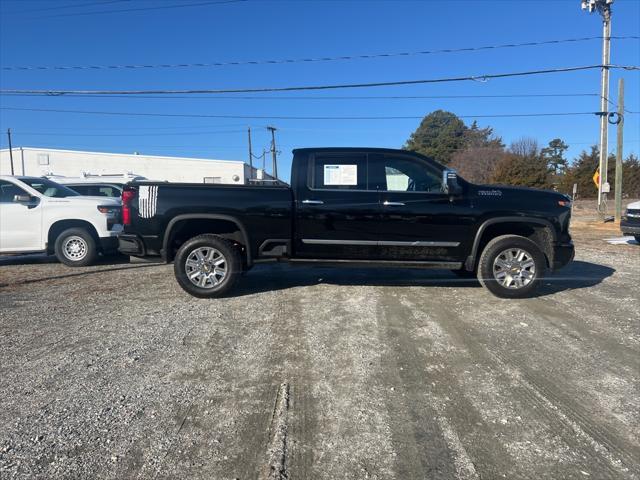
column 337, row 214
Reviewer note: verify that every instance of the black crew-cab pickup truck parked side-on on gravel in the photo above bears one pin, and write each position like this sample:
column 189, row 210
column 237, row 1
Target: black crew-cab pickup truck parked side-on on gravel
column 350, row 206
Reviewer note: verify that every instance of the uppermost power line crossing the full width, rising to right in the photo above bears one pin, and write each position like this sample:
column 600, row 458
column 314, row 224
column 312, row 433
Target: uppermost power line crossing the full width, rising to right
column 312, row 59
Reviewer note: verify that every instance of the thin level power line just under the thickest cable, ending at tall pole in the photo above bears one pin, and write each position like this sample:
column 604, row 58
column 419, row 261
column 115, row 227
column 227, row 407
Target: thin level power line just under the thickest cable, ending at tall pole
column 335, row 97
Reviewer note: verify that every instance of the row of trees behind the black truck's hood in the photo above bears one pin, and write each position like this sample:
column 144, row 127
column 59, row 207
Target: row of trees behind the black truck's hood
column 480, row 156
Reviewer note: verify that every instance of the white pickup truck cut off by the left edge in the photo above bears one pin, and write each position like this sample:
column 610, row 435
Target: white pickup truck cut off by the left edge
column 39, row 215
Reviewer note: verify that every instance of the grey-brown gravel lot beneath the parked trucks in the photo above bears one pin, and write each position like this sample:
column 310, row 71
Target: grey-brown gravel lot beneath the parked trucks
column 113, row 372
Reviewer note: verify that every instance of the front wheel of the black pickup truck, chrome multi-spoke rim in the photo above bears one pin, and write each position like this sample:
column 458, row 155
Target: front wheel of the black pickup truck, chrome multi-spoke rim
column 511, row 266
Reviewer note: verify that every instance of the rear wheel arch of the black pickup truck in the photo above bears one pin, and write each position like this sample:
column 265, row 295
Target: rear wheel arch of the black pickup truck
column 216, row 221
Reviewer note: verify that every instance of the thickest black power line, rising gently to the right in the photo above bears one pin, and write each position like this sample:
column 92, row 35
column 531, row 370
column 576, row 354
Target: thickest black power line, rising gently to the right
column 477, row 78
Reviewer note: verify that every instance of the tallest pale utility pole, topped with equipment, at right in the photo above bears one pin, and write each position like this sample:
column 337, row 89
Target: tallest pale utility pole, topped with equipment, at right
column 604, row 8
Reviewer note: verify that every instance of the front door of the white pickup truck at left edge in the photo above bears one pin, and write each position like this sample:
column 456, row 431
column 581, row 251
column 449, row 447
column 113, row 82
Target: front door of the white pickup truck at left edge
column 20, row 223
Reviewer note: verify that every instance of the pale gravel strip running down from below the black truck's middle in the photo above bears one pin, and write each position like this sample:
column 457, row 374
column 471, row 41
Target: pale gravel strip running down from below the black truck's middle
column 352, row 437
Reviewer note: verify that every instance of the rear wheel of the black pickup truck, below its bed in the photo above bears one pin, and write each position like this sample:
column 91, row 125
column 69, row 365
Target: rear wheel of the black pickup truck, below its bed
column 207, row 266
